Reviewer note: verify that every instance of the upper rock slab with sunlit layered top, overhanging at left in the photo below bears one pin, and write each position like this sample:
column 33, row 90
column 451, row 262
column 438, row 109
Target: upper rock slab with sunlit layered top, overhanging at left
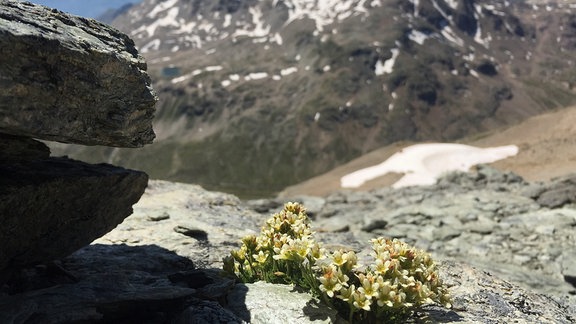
column 70, row 79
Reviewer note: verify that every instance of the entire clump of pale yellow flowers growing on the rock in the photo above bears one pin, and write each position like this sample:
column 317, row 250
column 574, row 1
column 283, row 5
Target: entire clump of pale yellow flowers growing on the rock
column 399, row 280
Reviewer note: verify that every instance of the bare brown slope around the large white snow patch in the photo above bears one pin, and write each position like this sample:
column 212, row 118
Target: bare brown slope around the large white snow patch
column 547, row 149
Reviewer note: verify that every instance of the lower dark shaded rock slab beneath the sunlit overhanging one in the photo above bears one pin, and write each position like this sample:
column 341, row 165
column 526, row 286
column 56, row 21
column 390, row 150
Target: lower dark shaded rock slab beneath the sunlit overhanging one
column 52, row 207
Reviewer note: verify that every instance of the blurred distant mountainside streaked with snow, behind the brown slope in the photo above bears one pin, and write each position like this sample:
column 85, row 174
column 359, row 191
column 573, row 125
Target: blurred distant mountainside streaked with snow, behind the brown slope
column 258, row 95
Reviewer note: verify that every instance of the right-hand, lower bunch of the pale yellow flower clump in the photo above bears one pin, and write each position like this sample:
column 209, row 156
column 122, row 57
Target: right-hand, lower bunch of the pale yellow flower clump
column 400, row 279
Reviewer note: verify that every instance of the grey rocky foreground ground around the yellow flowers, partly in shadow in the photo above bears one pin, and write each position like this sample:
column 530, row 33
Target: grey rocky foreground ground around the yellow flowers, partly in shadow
column 161, row 264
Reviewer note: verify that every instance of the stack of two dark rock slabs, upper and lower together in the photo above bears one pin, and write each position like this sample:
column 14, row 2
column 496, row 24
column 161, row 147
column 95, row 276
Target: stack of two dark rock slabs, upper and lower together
column 67, row 79
